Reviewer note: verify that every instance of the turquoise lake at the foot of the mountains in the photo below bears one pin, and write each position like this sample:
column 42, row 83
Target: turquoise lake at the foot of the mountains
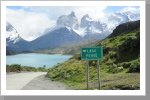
column 37, row 60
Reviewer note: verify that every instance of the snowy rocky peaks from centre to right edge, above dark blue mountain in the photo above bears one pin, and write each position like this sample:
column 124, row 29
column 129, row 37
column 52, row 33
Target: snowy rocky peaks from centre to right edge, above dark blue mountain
column 88, row 27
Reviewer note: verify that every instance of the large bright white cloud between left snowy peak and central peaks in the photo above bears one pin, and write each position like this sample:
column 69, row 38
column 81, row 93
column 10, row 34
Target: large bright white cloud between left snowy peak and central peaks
column 28, row 24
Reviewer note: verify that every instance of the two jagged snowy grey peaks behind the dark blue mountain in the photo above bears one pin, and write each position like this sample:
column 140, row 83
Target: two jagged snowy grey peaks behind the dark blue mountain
column 87, row 28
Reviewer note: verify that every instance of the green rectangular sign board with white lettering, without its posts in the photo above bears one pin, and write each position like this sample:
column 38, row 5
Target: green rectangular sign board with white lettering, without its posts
column 91, row 53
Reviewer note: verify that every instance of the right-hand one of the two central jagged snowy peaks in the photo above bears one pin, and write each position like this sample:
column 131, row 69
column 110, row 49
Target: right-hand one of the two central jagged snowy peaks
column 92, row 28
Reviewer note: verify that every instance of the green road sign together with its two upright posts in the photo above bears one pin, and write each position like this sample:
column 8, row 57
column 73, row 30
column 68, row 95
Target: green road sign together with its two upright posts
column 92, row 53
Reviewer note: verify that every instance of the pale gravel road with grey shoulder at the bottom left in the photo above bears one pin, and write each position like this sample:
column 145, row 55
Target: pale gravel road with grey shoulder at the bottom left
column 32, row 81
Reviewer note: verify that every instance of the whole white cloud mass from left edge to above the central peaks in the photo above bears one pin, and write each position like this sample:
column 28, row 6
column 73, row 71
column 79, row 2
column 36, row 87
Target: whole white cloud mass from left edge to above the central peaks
column 31, row 21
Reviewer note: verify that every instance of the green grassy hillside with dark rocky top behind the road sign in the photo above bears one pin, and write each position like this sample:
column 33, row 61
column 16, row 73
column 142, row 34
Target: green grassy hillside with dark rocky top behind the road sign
column 119, row 68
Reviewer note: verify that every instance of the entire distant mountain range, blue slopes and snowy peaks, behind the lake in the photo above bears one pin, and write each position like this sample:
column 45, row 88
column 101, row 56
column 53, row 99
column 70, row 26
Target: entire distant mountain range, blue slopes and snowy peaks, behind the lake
column 68, row 30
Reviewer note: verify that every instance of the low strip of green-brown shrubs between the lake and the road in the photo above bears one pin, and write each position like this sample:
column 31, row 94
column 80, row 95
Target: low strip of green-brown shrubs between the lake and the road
column 18, row 68
